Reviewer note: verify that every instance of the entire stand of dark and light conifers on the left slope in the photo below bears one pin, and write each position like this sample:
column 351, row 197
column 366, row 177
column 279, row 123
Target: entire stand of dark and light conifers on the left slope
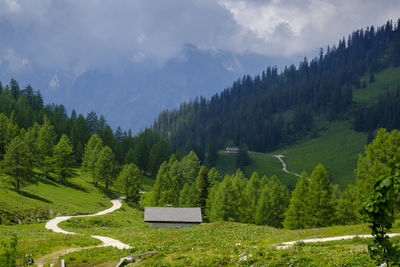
column 40, row 141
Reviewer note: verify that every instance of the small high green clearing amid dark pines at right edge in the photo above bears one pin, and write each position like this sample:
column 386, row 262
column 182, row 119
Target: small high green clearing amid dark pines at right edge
column 387, row 80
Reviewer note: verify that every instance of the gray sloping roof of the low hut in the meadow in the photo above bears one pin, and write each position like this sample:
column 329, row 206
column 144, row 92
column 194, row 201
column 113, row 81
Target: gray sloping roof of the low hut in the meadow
column 157, row 214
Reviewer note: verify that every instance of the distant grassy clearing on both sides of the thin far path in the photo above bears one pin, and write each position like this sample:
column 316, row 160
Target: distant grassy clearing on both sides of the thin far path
column 337, row 147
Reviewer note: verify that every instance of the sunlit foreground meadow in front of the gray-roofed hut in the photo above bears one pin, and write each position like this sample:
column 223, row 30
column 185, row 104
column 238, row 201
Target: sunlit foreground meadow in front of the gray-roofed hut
column 221, row 243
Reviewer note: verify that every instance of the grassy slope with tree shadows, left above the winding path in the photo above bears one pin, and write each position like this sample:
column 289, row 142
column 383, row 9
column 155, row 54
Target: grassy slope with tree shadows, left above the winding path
column 48, row 199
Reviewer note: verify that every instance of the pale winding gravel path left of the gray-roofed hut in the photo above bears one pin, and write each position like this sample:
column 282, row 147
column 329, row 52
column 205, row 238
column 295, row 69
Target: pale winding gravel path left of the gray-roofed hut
column 107, row 241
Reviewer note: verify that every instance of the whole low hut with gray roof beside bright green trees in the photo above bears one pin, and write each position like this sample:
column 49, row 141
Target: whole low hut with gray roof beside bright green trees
column 172, row 217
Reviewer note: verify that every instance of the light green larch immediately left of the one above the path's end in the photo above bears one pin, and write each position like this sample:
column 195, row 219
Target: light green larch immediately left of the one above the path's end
column 106, row 166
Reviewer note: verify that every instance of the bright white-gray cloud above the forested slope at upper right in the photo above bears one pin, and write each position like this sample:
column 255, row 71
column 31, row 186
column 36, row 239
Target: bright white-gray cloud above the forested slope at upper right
column 298, row 27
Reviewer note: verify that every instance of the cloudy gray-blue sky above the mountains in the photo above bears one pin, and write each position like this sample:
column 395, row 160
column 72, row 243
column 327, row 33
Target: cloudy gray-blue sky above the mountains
column 78, row 35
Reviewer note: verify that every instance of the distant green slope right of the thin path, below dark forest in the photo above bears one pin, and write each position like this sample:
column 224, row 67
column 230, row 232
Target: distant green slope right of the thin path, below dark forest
column 337, row 148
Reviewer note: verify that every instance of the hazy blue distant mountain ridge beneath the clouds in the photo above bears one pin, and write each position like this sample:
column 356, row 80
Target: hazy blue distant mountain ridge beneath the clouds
column 133, row 96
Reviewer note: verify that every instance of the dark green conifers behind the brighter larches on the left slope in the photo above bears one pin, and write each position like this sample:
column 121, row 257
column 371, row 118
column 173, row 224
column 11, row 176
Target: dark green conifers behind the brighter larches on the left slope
column 25, row 108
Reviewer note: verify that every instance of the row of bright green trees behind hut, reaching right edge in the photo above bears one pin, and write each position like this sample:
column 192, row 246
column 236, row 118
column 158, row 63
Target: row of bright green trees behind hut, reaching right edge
column 315, row 201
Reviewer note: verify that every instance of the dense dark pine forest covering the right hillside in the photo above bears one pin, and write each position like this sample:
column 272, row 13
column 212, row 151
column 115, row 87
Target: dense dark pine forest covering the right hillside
column 273, row 109
